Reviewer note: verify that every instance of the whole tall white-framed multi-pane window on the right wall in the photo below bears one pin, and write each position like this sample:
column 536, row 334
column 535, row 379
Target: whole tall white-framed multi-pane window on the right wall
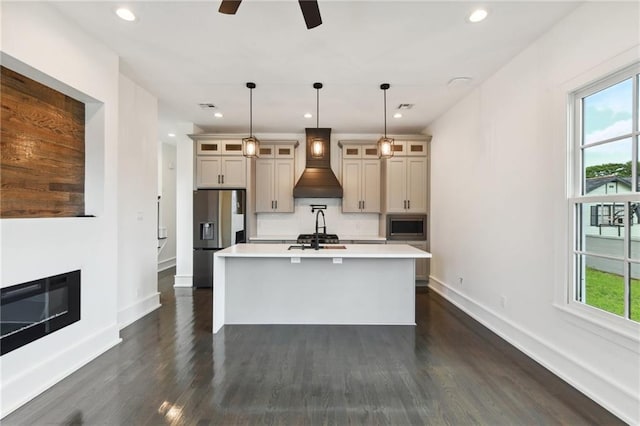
column 606, row 200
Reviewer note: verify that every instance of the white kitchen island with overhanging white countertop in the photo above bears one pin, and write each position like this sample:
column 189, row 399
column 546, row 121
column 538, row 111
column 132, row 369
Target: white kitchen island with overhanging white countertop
column 338, row 284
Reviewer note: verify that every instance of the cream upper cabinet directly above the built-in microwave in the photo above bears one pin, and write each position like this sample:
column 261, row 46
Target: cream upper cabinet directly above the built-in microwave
column 406, row 178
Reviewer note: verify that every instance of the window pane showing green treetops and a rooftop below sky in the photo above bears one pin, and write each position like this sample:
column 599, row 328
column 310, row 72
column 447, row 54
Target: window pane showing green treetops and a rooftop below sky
column 607, row 163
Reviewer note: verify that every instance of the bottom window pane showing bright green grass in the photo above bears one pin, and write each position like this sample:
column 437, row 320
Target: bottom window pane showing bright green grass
column 601, row 284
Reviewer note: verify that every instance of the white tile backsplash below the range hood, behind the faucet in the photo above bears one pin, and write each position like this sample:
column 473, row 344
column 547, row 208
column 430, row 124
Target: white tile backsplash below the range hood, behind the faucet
column 302, row 221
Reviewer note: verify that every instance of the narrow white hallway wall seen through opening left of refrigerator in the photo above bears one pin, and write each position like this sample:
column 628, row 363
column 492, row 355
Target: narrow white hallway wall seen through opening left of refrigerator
column 167, row 172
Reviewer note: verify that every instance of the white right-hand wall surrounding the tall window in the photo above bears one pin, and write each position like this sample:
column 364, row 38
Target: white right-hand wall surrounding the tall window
column 499, row 216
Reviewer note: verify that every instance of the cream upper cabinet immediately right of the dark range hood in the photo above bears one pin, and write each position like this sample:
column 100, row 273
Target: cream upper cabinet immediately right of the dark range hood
column 360, row 178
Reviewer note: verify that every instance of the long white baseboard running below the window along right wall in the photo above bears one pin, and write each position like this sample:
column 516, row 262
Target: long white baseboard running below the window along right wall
column 618, row 400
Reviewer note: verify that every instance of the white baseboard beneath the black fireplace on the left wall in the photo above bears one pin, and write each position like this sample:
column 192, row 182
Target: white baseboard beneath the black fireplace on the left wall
column 54, row 368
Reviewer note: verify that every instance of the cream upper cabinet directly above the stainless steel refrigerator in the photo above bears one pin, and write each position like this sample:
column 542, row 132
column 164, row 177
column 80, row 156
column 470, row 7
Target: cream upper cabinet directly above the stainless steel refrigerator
column 219, row 163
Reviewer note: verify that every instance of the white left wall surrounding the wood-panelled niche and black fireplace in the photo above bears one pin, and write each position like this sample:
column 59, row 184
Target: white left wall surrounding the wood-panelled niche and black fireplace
column 39, row 43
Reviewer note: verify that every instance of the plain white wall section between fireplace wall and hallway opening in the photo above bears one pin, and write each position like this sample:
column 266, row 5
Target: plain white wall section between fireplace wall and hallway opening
column 137, row 203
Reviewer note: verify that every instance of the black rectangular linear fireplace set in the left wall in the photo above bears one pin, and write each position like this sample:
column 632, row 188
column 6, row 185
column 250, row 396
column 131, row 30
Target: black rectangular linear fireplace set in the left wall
column 31, row 310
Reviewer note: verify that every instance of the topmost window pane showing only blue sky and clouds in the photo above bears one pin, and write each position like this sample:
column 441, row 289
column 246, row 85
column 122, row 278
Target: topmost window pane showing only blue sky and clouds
column 608, row 113
